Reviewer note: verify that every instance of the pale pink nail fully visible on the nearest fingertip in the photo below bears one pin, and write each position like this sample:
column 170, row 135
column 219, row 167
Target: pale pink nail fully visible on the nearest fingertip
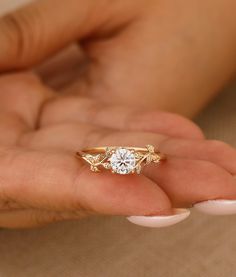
column 160, row 221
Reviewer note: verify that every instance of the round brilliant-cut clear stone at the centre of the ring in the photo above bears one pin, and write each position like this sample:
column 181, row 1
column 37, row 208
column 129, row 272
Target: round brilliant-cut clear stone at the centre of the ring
column 122, row 161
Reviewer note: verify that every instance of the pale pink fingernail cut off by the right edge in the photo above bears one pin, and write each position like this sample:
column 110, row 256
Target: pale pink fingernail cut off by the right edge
column 217, row 207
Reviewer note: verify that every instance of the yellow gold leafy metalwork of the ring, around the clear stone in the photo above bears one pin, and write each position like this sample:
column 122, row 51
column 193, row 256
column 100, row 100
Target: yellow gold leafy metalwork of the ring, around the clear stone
column 100, row 157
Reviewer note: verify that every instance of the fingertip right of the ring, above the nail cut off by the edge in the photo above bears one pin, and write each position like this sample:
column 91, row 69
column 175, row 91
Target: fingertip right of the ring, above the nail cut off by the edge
column 191, row 181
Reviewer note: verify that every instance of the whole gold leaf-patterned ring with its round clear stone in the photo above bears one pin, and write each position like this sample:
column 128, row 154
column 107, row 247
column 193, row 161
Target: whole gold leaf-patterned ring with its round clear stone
column 120, row 159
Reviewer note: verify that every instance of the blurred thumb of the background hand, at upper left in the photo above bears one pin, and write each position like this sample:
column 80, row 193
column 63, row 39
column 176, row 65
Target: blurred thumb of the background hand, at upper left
column 39, row 29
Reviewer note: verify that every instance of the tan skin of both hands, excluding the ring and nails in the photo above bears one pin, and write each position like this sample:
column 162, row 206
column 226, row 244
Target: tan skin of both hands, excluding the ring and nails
column 101, row 104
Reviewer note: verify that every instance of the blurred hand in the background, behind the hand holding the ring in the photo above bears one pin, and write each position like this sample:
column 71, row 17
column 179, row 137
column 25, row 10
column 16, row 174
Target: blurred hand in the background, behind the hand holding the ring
column 152, row 53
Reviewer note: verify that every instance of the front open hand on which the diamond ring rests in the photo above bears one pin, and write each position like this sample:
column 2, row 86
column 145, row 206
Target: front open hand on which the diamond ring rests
column 42, row 181
